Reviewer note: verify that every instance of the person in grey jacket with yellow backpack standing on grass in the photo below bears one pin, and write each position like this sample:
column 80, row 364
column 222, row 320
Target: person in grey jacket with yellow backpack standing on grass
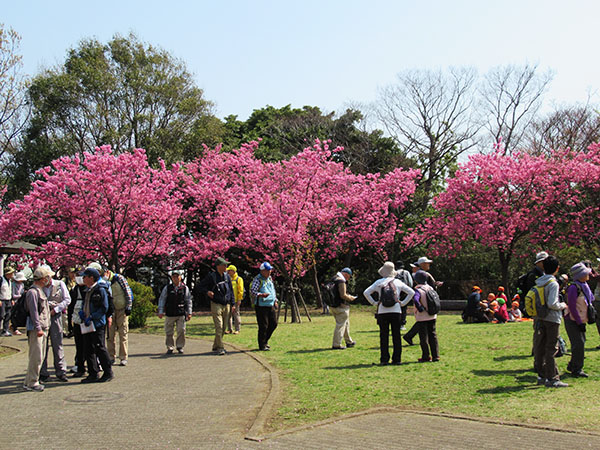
column 547, row 327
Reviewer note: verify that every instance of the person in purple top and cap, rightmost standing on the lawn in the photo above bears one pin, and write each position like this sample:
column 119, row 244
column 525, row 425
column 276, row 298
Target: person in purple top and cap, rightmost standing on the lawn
column 579, row 300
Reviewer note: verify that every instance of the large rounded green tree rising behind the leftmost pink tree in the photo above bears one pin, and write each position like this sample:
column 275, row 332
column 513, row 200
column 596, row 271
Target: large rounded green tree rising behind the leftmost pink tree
column 125, row 93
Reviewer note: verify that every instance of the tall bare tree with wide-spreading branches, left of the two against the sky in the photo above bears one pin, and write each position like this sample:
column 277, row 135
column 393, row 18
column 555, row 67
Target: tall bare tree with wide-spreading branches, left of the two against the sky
column 430, row 115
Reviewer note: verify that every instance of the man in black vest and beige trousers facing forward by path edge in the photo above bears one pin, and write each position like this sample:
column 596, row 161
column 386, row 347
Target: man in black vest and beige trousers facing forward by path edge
column 175, row 302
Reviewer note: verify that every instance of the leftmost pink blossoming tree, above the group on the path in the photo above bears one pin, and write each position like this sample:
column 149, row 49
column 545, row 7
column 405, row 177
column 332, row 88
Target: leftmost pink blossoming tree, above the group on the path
column 102, row 206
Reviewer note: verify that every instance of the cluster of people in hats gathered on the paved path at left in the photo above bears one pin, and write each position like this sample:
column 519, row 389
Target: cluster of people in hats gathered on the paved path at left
column 93, row 301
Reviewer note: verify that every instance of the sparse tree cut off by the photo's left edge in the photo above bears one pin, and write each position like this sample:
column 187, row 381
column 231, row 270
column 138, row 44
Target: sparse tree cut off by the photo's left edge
column 13, row 106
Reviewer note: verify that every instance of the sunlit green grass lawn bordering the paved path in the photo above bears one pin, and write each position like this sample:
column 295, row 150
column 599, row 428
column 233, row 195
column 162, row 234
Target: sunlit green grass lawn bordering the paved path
column 485, row 371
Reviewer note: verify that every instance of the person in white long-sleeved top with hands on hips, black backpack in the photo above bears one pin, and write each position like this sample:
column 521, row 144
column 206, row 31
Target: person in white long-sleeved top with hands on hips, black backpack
column 389, row 308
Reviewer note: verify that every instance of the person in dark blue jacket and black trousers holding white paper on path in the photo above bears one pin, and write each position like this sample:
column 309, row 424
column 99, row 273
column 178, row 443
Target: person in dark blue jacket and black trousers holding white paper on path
column 93, row 313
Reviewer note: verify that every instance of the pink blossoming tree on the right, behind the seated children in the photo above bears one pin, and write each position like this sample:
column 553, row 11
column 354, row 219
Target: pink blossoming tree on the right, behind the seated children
column 497, row 201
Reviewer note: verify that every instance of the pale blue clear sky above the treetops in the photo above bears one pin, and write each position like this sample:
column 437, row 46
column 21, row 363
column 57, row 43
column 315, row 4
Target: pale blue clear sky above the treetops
column 247, row 54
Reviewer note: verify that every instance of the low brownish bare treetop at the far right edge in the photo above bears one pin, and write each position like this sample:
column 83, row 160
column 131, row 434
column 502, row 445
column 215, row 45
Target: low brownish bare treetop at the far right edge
column 575, row 127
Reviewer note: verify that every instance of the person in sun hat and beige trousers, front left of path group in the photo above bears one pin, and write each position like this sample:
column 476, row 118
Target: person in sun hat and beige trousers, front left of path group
column 38, row 322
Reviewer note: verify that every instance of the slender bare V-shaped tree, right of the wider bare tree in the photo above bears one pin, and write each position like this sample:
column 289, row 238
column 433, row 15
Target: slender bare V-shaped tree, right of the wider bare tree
column 511, row 97
